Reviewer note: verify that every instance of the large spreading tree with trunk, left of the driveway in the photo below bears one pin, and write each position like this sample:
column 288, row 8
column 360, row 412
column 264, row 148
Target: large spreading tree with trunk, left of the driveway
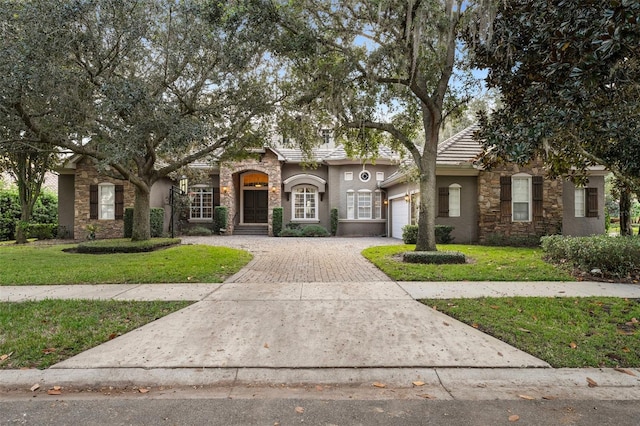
column 143, row 87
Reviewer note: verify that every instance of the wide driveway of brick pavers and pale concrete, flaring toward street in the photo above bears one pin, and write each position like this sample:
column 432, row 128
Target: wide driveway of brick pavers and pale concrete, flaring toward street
column 304, row 303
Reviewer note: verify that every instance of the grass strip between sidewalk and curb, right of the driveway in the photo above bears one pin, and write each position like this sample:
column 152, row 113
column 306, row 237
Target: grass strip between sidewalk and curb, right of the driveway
column 565, row 332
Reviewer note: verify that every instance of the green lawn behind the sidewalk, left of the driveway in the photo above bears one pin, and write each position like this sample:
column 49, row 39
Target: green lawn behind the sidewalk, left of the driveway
column 44, row 265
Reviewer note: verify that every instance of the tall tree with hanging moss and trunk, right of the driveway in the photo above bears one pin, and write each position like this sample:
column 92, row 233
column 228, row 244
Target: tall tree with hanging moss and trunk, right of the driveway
column 385, row 72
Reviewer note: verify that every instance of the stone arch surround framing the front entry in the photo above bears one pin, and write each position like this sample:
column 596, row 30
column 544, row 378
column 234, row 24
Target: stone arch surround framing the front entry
column 268, row 164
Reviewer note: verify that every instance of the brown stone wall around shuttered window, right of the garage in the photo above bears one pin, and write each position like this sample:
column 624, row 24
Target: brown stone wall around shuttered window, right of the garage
column 489, row 221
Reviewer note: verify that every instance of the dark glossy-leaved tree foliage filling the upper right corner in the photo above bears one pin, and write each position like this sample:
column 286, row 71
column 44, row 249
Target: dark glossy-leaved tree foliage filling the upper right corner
column 569, row 75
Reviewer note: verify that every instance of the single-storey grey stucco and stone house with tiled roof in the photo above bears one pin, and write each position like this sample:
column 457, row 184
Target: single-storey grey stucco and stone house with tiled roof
column 373, row 198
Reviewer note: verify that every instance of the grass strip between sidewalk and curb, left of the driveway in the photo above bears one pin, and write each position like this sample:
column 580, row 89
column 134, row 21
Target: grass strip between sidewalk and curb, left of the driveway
column 40, row 334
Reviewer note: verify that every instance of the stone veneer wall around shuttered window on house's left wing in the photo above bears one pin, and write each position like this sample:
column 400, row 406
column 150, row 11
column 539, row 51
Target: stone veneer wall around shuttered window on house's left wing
column 86, row 174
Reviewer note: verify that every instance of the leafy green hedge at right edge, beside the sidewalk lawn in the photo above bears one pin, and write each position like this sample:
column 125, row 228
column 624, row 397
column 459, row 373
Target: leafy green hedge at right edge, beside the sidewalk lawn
column 614, row 256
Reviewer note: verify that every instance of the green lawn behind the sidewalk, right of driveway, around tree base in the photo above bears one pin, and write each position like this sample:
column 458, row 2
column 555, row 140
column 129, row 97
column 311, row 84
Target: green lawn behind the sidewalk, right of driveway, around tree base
column 484, row 263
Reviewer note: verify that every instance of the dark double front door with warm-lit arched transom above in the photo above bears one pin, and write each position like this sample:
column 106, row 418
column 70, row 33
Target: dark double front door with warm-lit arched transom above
column 254, row 187
